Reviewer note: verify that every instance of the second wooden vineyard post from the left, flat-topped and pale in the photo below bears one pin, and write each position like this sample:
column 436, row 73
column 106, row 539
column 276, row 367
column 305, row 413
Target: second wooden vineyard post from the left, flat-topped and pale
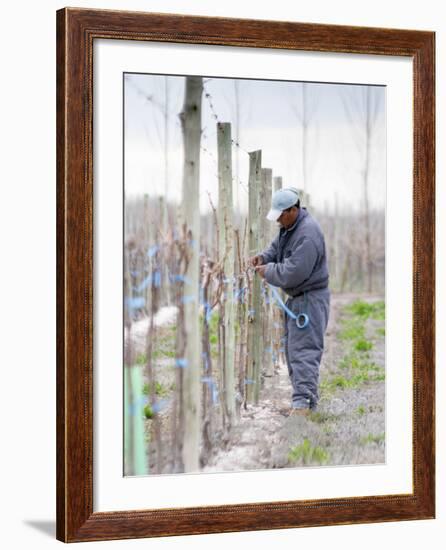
column 226, row 249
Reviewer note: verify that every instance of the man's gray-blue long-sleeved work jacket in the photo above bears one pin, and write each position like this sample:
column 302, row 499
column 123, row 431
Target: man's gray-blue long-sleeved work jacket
column 296, row 259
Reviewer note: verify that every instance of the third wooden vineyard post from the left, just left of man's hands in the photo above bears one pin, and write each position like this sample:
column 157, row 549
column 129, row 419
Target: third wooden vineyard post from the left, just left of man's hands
column 254, row 313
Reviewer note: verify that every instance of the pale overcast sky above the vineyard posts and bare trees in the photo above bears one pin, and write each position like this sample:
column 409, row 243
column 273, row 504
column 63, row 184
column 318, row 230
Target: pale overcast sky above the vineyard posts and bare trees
column 270, row 115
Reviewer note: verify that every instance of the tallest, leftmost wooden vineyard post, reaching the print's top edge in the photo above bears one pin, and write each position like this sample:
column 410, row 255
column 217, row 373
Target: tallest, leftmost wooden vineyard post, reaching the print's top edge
column 191, row 126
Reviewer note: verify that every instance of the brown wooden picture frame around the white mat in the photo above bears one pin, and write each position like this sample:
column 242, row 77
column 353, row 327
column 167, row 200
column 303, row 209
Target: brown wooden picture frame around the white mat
column 76, row 31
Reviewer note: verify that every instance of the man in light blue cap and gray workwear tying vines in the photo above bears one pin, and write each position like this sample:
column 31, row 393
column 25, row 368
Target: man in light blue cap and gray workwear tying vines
column 296, row 261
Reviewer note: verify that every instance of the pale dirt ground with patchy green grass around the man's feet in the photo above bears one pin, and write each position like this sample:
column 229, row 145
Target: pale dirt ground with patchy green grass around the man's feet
column 348, row 426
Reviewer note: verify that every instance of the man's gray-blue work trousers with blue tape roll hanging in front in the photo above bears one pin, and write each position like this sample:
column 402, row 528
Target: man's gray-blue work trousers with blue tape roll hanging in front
column 304, row 346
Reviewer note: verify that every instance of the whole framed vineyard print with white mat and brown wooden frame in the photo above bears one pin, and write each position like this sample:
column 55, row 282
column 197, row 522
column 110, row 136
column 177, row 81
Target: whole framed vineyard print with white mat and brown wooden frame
column 245, row 275
